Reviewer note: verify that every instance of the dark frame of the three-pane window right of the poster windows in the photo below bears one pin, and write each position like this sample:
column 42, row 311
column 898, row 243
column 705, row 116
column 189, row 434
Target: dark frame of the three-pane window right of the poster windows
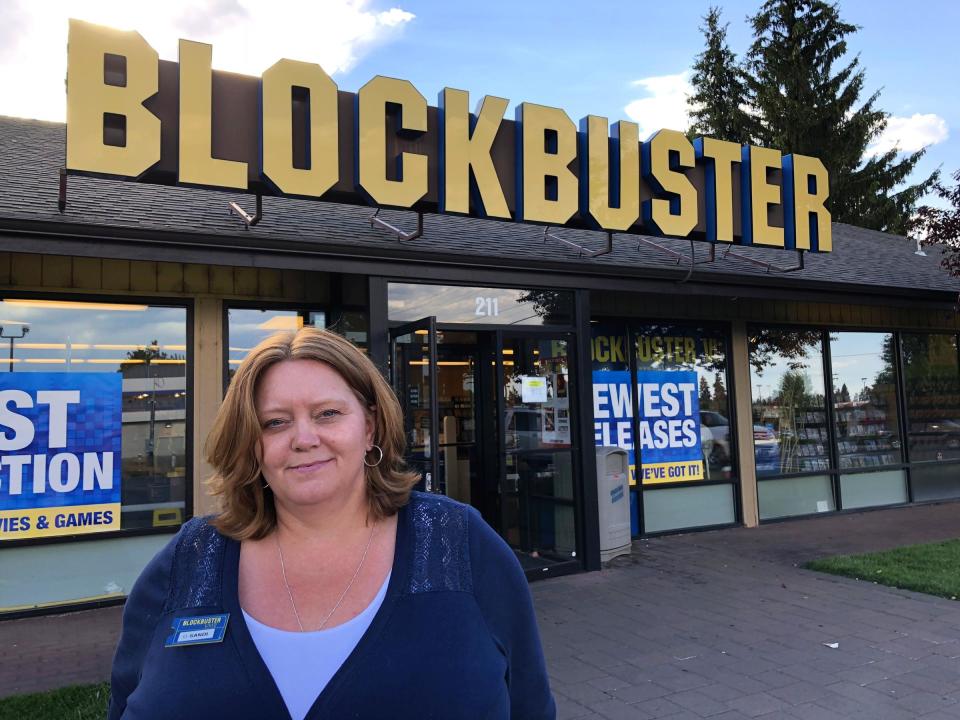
column 906, row 465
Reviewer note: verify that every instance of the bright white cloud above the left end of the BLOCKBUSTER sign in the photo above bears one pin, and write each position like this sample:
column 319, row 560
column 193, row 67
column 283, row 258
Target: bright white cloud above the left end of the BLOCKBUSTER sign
column 248, row 36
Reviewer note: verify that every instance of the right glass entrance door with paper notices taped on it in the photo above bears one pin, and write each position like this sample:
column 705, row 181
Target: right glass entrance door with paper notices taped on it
column 535, row 405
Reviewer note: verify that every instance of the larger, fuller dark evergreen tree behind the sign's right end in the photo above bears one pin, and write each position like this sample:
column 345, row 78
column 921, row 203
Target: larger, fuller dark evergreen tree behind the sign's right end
column 803, row 99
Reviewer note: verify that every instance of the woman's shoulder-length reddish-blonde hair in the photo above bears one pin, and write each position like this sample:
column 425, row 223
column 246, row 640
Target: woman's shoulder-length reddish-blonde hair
column 247, row 507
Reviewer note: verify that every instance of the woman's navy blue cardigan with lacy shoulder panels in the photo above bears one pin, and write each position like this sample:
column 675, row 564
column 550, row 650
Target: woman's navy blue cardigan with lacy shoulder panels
column 456, row 636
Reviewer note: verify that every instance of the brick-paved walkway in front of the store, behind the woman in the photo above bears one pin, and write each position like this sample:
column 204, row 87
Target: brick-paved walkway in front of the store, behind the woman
column 719, row 624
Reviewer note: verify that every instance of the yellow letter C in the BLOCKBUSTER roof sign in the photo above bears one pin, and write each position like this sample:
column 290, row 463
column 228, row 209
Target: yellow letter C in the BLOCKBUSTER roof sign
column 371, row 140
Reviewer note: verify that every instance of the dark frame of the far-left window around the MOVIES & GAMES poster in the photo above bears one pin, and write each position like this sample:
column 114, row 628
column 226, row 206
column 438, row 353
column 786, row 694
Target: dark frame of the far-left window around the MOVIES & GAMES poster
column 186, row 304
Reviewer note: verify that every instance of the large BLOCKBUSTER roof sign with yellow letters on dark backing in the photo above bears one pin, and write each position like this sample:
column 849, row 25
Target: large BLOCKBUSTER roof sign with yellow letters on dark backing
column 293, row 132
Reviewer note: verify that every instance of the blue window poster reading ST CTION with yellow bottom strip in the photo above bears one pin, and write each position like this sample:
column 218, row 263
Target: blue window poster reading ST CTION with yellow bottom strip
column 59, row 453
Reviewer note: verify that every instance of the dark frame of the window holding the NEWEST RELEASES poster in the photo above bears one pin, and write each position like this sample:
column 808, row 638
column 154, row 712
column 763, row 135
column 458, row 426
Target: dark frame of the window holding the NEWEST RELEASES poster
column 631, row 325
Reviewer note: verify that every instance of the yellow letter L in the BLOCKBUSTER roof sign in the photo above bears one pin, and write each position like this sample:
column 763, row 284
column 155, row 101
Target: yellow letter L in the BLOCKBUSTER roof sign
column 197, row 166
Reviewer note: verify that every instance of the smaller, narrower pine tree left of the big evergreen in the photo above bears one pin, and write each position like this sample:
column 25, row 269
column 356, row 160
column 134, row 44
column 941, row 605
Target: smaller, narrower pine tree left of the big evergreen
column 716, row 108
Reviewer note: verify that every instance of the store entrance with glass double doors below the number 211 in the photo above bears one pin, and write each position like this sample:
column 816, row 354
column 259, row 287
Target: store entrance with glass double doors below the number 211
column 489, row 417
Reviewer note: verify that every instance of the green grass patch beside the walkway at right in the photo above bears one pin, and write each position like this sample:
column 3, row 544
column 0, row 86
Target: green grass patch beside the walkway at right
column 933, row 569
